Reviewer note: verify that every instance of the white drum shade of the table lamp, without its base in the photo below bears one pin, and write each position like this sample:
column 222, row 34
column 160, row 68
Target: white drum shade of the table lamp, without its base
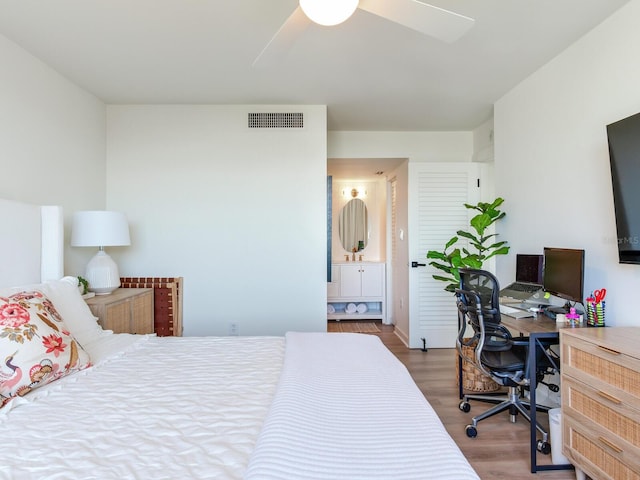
column 99, row 228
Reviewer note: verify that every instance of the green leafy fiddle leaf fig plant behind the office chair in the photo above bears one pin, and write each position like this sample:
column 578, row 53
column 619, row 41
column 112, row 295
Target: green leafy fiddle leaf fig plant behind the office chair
column 451, row 258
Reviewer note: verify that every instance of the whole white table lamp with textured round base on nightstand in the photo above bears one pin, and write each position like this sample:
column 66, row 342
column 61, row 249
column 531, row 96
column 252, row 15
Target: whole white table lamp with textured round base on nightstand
column 100, row 228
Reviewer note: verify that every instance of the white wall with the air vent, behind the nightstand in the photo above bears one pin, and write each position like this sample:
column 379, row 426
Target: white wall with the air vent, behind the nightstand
column 239, row 213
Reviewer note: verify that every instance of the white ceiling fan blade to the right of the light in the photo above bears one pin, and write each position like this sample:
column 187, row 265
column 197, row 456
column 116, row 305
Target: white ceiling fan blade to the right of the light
column 422, row 17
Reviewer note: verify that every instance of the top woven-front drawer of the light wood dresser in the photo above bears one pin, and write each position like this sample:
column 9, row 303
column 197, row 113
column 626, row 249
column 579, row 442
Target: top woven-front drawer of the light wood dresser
column 602, row 367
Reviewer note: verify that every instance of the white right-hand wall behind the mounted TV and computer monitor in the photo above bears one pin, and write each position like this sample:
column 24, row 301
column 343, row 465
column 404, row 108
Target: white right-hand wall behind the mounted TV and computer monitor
column 551, row 156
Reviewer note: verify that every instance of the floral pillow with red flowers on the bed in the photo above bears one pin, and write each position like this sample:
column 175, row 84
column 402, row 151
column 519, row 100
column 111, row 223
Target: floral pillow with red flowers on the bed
column 36, row 347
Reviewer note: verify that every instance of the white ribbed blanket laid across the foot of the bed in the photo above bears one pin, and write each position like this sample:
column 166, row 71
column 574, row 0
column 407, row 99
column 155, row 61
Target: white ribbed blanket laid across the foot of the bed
column 347, row 409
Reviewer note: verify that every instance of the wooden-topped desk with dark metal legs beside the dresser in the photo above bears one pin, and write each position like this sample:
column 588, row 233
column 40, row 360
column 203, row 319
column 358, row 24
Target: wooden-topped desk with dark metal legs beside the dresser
column 540, row 329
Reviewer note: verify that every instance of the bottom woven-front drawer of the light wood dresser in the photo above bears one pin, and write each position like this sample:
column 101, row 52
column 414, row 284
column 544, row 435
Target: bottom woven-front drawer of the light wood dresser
column 596, row 454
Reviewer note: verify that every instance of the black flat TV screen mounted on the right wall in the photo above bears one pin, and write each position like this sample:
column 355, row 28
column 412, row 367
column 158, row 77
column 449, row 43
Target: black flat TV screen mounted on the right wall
column 624, row 155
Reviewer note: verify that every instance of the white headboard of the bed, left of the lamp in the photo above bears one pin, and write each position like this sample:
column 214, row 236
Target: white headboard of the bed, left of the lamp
column 31, row 243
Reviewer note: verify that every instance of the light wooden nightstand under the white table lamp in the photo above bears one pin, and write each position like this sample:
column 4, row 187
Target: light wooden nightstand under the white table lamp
column 126, row 310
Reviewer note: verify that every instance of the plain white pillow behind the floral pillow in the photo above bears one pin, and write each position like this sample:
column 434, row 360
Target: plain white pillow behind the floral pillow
column 66, row 297
